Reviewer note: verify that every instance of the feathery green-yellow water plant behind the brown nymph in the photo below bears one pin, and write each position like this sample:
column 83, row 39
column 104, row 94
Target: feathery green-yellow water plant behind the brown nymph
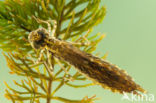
column 73, row 24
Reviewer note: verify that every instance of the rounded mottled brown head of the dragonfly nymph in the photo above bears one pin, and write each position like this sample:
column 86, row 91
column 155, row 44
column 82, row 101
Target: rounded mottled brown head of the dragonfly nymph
column 37, row 38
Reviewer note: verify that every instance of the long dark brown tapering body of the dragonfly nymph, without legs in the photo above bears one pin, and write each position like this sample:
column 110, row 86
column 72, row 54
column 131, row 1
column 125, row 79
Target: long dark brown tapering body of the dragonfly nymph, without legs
column 100, row 71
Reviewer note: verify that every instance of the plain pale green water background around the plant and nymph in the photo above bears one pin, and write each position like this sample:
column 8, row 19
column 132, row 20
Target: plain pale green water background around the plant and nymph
column 130, row 28
